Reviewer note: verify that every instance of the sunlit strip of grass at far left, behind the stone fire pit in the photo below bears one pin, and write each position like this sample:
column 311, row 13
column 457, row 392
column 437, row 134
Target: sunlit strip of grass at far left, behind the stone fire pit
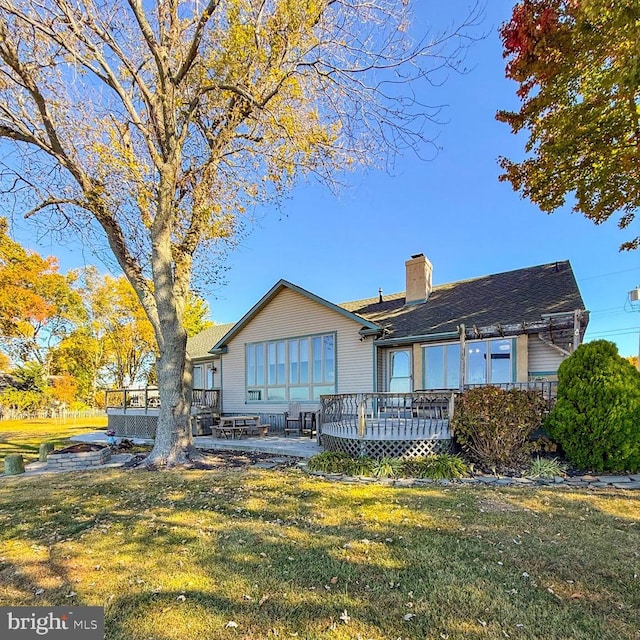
column 26, row 436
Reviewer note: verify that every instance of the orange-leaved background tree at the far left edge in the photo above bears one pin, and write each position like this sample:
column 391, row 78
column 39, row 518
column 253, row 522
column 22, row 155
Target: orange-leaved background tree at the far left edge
column 38, row 305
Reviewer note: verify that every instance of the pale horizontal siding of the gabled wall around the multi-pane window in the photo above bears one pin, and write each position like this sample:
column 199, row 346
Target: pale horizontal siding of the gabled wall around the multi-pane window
column 289, row 315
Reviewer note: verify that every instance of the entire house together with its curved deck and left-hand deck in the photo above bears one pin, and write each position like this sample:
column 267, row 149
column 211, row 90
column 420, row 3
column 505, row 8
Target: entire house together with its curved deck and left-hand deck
column 379, row 375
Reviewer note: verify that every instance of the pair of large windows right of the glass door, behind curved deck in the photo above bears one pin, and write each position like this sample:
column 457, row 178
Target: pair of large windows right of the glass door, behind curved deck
column 487, row 362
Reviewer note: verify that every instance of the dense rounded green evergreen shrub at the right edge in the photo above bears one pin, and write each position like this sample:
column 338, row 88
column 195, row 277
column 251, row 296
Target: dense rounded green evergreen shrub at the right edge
column 596, row 418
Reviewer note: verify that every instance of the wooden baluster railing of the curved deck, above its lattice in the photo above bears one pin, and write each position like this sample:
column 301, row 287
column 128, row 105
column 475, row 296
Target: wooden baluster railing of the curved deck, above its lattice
column 387, row 415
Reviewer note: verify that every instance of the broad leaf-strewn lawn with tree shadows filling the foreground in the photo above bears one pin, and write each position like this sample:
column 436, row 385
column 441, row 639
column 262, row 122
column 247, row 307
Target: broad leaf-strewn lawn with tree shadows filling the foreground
column 278, row 554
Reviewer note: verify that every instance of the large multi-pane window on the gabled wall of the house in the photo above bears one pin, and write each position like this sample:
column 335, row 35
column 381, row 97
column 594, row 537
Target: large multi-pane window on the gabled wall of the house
column 296, row 369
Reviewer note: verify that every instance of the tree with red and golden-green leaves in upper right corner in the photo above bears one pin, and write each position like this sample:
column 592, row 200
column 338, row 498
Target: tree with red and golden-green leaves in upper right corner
column 578, row 67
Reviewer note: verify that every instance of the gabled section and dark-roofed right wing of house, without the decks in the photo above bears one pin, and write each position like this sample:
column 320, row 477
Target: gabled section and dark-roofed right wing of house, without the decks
column 505, row 328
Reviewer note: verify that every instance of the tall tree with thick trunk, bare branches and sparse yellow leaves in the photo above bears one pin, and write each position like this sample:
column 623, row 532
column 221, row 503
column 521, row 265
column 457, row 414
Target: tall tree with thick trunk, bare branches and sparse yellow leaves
column 162, row 122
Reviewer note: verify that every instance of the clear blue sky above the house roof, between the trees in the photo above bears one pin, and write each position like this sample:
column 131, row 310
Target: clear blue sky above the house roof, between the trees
column 451, row 208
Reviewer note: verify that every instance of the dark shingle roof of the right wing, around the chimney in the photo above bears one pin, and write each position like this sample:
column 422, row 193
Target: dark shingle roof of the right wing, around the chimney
column 523, row 295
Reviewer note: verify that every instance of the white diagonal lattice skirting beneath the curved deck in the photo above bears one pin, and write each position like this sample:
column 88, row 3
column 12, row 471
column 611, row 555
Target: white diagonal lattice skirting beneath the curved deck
column 386, row 448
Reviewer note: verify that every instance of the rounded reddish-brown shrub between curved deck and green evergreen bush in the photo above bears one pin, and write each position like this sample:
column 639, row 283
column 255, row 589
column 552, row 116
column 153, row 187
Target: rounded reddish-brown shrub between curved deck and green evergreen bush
column 493, row 425
